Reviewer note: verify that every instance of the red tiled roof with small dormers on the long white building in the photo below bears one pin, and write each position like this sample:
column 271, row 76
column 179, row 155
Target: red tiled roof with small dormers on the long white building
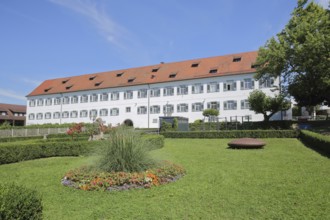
column 224, row 65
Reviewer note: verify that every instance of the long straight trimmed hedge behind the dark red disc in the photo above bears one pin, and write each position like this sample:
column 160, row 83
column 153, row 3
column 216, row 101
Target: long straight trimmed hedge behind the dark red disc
column 234, row 134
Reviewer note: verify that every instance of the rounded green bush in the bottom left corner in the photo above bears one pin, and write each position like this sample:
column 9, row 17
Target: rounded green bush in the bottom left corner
column 17, row 202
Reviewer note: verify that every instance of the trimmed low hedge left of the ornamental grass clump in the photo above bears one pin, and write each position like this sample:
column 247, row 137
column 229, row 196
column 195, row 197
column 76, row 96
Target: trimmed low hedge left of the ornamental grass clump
column 12, row 152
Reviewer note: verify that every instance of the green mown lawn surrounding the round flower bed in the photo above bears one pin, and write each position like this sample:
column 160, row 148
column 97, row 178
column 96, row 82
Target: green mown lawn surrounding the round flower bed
column 283, row 181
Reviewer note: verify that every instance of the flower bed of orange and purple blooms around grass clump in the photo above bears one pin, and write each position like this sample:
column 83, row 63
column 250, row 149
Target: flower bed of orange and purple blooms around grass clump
column 87, row 178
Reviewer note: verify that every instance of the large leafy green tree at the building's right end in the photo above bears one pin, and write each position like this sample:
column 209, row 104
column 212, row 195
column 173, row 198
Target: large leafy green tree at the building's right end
column 300, row 55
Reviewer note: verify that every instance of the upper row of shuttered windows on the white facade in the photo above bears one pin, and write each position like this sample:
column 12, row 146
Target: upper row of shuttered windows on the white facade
column 155, row 92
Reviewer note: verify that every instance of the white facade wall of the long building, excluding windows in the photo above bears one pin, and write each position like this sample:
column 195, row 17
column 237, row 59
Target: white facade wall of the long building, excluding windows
column 142, row 121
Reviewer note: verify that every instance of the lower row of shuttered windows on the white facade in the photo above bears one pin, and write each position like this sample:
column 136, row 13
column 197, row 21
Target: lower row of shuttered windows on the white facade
column 154, row 109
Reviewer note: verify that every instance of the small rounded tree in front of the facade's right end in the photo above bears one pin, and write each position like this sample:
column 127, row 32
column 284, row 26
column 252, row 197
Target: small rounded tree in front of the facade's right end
column 266, row 105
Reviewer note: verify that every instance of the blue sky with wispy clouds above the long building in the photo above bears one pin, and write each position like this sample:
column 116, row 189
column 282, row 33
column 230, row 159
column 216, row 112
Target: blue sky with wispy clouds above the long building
column 45, row 39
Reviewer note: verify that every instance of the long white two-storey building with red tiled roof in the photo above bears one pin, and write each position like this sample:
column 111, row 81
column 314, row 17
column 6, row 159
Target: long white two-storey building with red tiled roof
column 141, row 95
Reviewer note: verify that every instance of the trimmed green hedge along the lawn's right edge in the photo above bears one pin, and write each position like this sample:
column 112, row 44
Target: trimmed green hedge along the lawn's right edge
column 316, row 141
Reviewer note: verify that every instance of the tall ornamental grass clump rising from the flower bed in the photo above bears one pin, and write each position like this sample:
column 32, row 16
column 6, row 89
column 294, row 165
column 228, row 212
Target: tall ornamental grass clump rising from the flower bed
column 125, row 151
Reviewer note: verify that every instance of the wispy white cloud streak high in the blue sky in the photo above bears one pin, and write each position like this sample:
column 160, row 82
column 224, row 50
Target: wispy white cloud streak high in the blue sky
column 96, row 14
